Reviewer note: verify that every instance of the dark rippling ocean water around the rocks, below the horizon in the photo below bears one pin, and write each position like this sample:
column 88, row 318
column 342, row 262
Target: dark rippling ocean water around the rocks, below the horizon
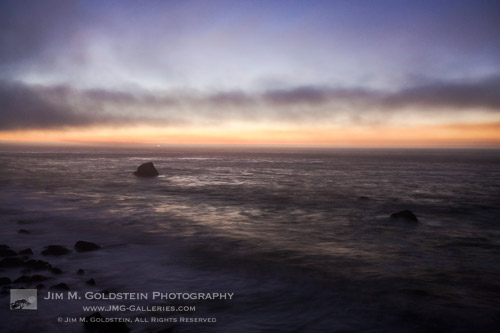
column 301, row 237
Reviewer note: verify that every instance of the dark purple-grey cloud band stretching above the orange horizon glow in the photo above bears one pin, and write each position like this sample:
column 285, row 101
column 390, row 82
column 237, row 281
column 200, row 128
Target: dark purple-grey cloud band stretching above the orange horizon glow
column 42, row 107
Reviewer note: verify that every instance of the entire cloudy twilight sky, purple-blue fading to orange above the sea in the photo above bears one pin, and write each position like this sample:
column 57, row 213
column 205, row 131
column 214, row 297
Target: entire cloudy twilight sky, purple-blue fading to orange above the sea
column 320, row 73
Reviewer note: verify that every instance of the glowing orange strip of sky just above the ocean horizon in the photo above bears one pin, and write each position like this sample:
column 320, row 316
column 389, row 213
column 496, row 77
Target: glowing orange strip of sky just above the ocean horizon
column 481, row 134
